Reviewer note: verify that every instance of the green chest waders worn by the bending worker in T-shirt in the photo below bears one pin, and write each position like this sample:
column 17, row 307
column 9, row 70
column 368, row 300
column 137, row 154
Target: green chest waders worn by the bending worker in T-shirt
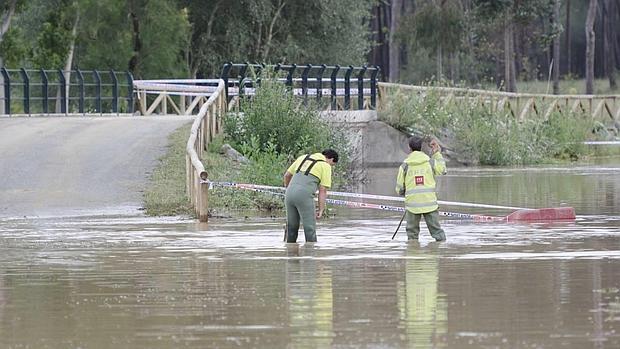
column 299, row 202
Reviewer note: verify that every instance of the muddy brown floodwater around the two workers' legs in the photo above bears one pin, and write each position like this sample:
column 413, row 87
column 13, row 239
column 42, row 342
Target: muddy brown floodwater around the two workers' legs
column 136, row 282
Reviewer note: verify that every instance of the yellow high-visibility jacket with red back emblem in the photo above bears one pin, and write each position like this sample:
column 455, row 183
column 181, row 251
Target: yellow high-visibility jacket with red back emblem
column 416, row 181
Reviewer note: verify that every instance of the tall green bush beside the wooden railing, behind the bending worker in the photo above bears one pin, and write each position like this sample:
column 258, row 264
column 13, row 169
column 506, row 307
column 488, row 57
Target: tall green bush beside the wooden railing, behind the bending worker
column 274, row 128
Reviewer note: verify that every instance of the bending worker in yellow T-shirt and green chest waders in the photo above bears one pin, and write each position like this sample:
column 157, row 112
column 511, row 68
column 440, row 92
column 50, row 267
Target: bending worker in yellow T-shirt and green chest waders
column 307, row 174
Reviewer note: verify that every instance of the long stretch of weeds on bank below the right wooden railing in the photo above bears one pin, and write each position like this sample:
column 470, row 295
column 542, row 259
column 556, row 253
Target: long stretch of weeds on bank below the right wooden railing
column 480, row 135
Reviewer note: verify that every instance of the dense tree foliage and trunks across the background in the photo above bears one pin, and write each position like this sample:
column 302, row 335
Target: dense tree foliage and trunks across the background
column 471, row 41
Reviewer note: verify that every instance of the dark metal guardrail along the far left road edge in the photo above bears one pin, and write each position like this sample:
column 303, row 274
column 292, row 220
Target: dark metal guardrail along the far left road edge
column 29, row 91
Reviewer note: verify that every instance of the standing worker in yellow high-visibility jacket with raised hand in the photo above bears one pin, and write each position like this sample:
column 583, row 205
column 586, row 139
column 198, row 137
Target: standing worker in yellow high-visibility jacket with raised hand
column 416, row 181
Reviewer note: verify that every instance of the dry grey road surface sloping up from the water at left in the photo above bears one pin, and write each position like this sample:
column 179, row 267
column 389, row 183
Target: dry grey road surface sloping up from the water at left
column 79, row 165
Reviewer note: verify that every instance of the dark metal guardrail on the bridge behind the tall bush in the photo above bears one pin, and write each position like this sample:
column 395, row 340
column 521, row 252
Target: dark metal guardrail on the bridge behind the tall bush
column 340, row 85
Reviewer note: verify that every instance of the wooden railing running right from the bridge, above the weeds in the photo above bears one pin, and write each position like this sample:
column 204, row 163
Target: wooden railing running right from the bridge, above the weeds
column 520, row 105
